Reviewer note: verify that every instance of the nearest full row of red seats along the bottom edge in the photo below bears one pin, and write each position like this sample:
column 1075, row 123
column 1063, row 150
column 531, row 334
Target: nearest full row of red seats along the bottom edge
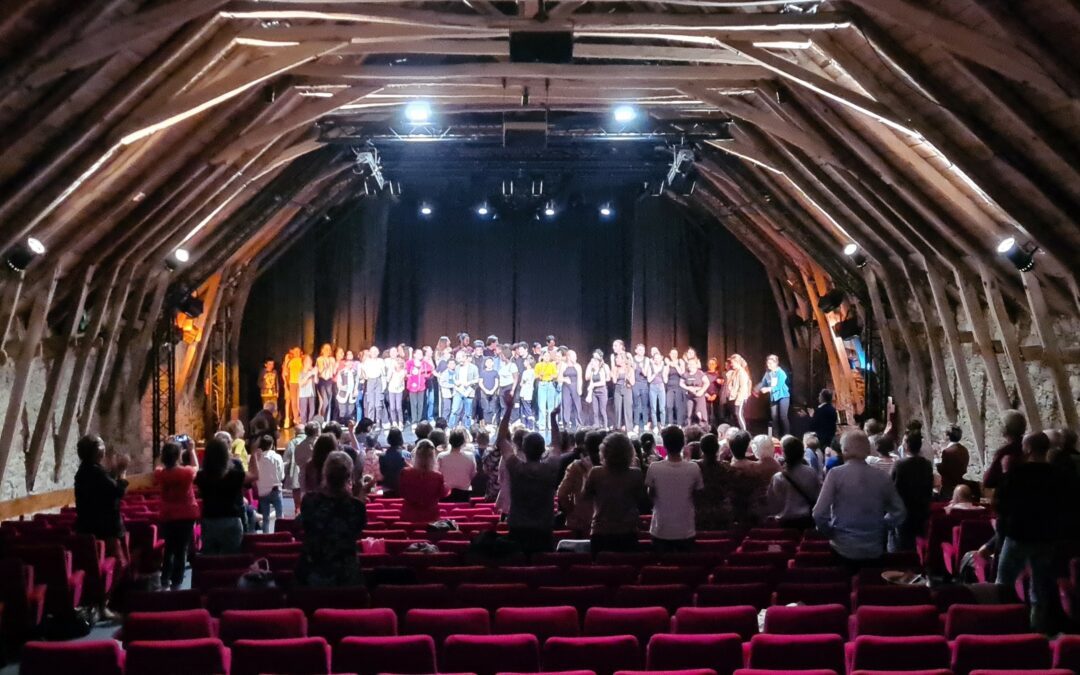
column 522, row 653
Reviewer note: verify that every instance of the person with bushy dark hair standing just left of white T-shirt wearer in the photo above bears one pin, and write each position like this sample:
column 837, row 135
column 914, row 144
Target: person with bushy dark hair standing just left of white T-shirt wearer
column 617, row 491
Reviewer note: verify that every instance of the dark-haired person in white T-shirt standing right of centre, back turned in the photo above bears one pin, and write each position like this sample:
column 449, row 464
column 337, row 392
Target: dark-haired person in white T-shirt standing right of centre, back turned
column 672, row 484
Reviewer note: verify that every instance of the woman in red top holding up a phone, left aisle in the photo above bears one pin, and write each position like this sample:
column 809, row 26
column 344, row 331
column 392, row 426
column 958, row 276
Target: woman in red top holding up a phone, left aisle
column 179, row 512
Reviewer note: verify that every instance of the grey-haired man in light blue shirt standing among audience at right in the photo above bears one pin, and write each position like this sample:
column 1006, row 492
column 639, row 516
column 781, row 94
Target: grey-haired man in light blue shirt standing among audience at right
column 858, row 506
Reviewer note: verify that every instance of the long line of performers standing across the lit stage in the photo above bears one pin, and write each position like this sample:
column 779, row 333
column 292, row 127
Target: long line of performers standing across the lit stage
column 465, row 384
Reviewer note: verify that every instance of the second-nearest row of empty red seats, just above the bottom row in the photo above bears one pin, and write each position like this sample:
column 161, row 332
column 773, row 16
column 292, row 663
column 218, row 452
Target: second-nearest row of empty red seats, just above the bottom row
column 569, row 622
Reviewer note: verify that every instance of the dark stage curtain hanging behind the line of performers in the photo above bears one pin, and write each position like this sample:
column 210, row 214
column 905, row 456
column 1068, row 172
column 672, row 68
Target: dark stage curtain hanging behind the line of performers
column 382, row 274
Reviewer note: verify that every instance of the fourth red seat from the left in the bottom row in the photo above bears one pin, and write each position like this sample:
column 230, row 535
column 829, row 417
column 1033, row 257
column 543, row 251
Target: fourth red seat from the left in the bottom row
column 410, row 655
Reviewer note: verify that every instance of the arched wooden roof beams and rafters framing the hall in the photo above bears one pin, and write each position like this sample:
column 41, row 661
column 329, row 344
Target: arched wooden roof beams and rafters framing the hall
column 925, row 132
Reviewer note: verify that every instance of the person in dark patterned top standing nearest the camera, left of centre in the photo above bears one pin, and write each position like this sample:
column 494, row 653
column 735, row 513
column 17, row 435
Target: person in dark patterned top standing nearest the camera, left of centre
column 333, row 520
